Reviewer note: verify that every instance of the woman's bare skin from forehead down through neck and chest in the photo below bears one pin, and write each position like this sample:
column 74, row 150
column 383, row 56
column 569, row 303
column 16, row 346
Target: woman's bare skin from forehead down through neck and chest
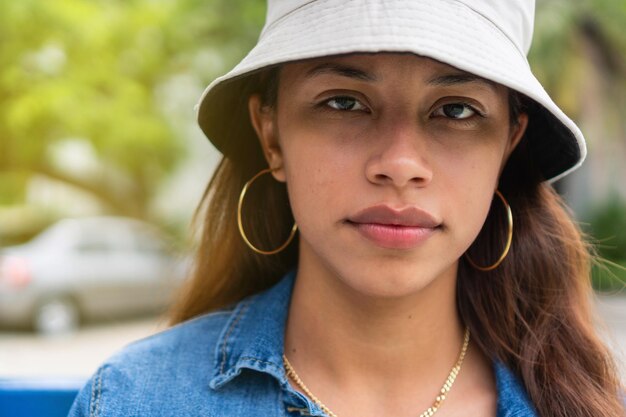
column 373, row 327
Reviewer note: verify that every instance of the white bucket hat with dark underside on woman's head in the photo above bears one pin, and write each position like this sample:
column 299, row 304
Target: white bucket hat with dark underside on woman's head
column 489, row 38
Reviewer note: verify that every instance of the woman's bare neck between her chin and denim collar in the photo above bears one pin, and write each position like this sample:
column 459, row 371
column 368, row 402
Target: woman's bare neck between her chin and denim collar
column 350, row 345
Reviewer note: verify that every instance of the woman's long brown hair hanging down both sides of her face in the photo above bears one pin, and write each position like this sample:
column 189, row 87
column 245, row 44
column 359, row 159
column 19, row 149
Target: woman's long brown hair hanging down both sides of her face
column 533, row 313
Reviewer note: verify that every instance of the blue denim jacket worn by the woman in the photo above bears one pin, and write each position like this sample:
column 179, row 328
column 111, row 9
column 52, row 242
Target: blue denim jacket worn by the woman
column 226, row 363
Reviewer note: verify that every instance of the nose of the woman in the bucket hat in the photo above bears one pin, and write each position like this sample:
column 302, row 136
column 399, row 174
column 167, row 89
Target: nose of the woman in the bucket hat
column 401, row 159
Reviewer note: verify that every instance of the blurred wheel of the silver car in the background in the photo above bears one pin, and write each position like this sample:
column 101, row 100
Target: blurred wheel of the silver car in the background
column 56, row 316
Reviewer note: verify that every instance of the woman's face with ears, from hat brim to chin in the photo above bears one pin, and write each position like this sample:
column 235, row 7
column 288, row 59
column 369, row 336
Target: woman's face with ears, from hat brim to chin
column 391, row 162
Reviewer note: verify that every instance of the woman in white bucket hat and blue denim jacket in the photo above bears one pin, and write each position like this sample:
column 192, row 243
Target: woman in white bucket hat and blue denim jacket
column 409, row 256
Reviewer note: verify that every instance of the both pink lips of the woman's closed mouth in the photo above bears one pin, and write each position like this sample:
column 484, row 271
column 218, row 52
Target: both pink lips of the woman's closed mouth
column 394, row 229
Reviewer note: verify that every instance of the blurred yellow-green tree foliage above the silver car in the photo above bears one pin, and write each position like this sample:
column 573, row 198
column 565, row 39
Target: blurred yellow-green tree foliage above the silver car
column 90, row 70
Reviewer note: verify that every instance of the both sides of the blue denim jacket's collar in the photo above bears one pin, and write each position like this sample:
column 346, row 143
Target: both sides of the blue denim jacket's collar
column 253, row 338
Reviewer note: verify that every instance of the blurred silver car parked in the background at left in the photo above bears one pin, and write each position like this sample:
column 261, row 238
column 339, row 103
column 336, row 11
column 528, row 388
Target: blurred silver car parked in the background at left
column 85, row 269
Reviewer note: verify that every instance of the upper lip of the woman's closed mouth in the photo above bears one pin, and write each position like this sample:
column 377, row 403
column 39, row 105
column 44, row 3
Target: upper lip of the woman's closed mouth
column 386, row 215
